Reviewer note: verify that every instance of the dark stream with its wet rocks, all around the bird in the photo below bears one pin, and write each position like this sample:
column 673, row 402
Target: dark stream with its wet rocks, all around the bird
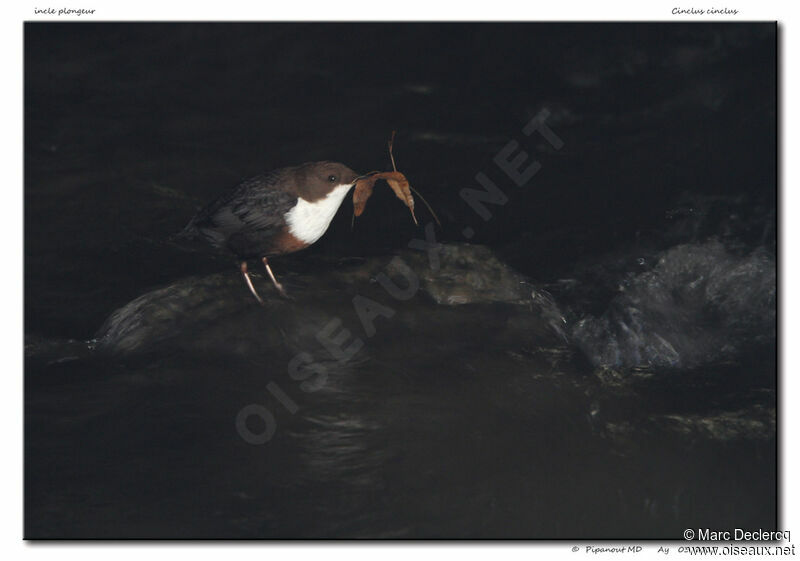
column 597, row 362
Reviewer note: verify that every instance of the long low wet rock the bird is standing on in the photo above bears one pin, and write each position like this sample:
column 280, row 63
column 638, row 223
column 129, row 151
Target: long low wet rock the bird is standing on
column 217, row 312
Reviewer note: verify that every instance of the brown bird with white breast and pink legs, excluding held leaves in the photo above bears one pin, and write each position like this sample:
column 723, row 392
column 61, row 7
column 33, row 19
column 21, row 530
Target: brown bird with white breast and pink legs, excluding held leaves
column 281, row 211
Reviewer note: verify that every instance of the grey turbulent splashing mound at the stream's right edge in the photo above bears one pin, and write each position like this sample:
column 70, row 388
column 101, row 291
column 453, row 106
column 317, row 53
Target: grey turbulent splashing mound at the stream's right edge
column 699, row 303
